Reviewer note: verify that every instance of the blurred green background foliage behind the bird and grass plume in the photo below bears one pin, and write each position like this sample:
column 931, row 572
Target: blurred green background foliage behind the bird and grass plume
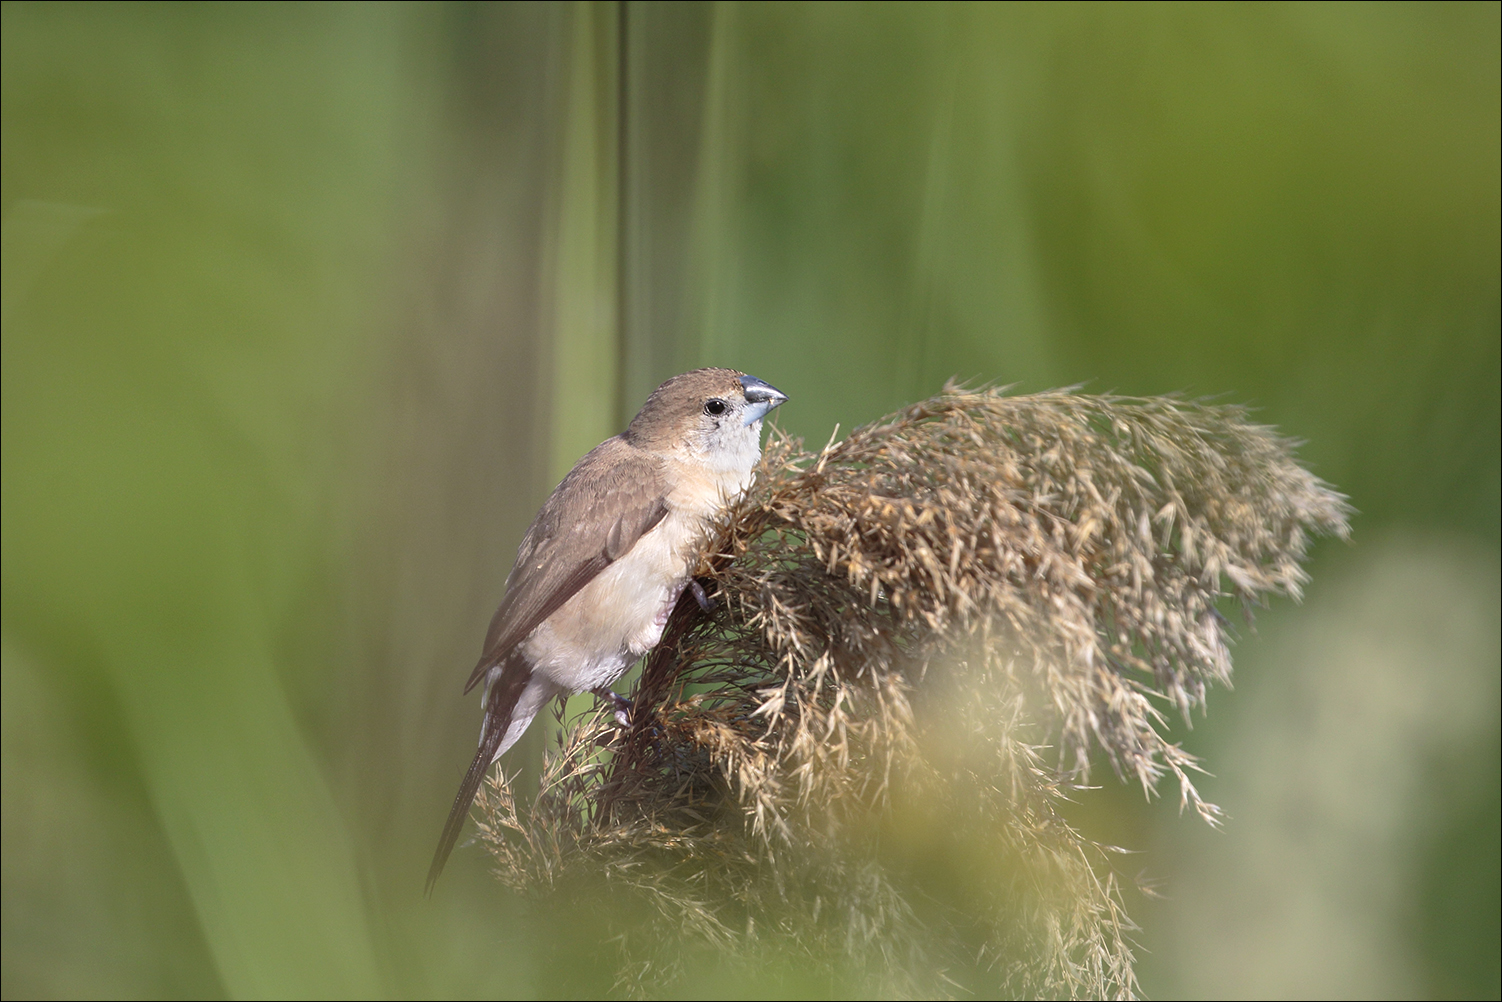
column 306, row 309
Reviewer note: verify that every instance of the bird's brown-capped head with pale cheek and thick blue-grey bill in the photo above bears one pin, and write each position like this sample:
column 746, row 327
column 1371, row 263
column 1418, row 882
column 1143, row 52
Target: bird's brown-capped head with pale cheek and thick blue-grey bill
column 713, row 415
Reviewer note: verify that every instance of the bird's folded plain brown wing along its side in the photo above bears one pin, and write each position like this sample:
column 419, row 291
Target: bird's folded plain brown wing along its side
column 611, row 499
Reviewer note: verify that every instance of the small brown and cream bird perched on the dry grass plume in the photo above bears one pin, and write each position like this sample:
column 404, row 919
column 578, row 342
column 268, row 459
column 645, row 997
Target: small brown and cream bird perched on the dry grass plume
column 608, row 558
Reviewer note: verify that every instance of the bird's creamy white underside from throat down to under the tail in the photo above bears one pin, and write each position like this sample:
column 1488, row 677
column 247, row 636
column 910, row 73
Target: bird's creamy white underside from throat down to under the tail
column 615, row 620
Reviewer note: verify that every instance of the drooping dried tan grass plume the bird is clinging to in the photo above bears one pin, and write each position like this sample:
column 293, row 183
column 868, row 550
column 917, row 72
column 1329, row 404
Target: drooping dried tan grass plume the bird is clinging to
column 926, row 633
